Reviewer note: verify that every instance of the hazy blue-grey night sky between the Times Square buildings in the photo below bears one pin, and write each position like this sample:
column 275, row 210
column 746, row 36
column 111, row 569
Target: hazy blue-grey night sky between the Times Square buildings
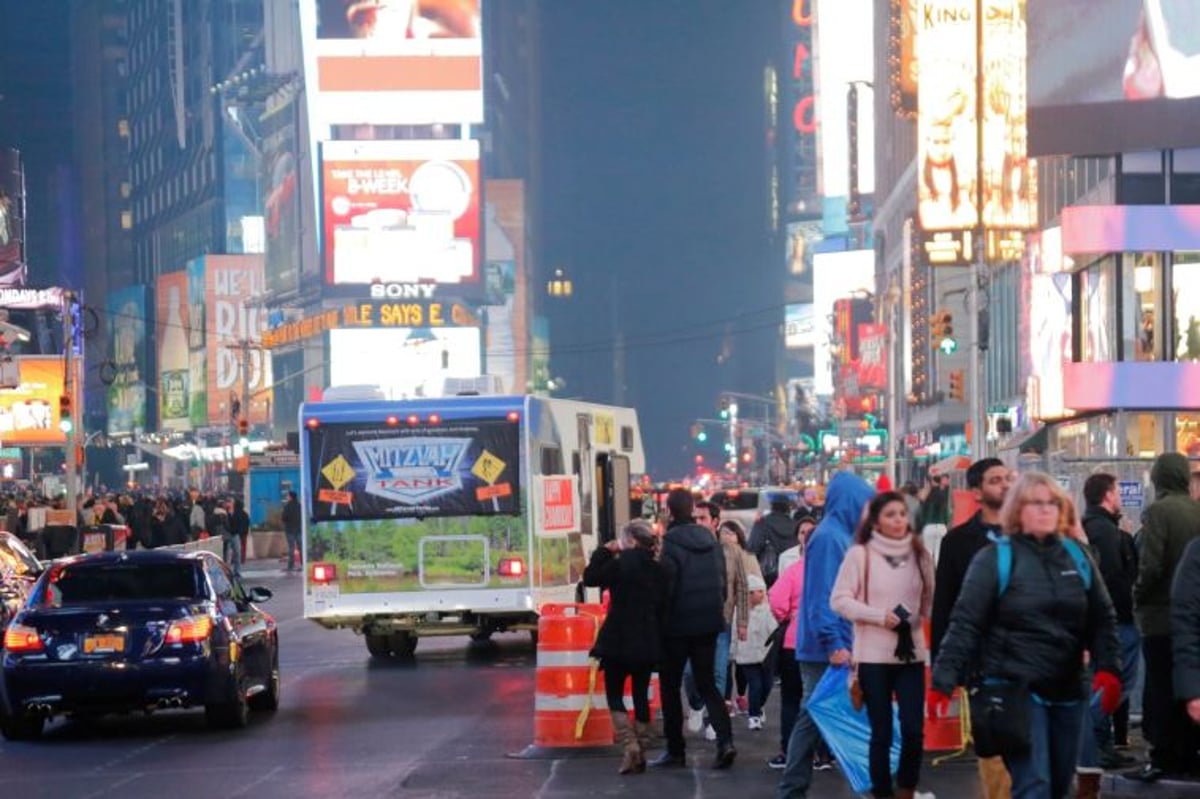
column 656, row 176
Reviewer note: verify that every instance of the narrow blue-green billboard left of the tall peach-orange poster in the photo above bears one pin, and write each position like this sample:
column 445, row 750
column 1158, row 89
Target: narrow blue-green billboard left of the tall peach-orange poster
column 128, row 355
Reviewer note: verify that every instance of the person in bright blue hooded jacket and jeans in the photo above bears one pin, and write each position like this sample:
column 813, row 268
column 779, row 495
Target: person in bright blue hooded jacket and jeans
column 823, row 638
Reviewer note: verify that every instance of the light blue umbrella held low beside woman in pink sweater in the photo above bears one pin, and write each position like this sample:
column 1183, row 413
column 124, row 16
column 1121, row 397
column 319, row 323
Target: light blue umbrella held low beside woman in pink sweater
column 848, row 732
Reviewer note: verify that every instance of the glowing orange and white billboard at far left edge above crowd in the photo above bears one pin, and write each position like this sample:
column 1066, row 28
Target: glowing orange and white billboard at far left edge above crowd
column 29, row 414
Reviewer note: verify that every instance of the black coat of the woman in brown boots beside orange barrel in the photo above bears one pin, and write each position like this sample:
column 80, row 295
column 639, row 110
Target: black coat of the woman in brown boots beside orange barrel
column 633, row 630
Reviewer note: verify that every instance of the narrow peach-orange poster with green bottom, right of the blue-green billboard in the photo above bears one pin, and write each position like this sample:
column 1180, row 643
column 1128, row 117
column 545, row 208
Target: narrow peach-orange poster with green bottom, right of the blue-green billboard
column 172, row 328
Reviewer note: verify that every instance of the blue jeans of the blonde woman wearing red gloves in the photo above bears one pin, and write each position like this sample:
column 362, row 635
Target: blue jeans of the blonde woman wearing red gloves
column 1046, row 772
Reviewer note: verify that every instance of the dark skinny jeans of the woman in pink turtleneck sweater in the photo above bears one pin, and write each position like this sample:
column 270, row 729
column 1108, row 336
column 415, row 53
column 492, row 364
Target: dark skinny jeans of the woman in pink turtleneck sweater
column 880, row 682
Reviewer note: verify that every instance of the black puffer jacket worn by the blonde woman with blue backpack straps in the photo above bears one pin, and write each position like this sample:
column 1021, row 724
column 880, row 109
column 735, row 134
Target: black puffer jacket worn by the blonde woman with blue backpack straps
column 1036, row 634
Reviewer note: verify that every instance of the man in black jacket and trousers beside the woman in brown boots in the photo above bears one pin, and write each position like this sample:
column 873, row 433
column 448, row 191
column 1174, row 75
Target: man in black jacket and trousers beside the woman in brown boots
column 695, row 572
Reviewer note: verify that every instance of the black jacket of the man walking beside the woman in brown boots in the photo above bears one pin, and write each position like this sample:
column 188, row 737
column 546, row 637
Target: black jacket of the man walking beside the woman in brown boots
column 695, row 569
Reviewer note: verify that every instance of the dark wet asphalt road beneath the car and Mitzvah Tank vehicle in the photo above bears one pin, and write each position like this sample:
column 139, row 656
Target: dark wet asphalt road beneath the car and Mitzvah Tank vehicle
column 440, row 728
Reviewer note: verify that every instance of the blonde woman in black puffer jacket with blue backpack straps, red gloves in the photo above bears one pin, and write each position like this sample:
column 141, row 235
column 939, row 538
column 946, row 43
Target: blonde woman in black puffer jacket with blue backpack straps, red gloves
column 1031, row 606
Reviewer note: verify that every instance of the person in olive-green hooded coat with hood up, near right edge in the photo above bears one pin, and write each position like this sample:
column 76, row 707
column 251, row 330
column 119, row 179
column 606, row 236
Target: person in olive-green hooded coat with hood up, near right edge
column 1173, row 521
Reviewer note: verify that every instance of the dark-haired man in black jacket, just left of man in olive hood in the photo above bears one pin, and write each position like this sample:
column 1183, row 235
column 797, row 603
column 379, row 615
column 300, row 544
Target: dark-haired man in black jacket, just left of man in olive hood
column 1119, row 567
